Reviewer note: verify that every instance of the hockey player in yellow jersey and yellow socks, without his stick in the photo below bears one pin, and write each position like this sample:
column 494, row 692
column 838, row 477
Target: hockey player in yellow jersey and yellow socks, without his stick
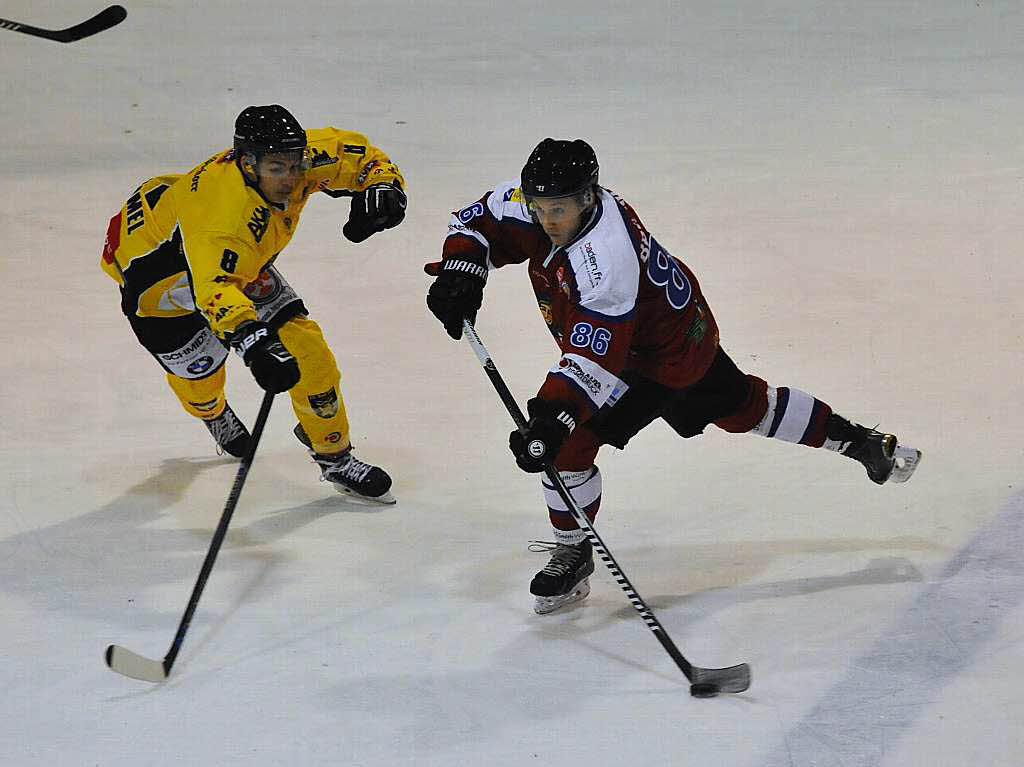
column 195, row 254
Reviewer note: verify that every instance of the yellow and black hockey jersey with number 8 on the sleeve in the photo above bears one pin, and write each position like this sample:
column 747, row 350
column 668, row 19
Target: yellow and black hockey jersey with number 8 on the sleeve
column 195, row 242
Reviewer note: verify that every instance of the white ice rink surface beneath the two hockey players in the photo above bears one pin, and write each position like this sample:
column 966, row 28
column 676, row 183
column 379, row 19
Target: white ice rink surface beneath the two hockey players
column 845, row 180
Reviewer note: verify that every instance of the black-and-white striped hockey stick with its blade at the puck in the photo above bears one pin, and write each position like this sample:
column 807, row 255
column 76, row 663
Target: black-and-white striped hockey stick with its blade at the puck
column 704, row 683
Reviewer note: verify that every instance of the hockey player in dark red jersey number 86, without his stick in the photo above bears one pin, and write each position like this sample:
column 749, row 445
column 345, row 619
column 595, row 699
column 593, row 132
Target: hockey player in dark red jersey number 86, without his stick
column 638, row 340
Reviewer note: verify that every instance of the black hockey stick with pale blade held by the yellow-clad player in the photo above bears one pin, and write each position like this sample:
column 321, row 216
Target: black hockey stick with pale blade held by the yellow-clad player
column 133, row 665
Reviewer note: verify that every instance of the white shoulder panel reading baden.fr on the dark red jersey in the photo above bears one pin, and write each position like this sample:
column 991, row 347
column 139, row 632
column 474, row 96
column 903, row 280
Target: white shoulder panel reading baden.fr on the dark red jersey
column 606, row 264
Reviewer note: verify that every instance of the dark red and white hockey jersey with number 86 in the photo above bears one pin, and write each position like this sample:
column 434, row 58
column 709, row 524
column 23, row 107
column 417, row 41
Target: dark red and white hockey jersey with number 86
column 614, row 299
